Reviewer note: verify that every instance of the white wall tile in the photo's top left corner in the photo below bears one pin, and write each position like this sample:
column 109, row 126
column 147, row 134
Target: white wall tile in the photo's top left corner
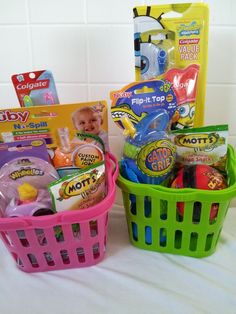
column 13, row 12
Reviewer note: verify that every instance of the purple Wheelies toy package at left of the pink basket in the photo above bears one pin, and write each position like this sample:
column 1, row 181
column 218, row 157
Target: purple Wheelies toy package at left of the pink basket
column 25, row 173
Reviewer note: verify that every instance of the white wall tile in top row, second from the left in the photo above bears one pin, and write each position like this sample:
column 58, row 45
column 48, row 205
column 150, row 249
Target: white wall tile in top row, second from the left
column 54, row 11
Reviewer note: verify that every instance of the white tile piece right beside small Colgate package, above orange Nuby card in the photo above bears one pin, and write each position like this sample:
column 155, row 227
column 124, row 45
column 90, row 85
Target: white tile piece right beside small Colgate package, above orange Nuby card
column 72, row 93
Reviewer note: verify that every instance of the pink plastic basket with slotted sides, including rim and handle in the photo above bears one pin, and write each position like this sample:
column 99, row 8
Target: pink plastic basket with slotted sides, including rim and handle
column 64, row 240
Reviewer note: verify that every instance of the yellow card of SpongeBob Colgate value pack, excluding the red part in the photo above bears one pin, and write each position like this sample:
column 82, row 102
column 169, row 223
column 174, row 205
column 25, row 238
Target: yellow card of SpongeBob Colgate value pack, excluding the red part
column 181, row 31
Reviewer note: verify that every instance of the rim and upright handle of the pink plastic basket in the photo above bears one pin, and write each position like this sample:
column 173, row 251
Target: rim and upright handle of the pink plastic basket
column 92, row 212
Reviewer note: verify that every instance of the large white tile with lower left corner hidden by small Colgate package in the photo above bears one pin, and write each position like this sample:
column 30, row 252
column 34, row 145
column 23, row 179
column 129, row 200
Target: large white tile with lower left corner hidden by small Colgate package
column 61, row 50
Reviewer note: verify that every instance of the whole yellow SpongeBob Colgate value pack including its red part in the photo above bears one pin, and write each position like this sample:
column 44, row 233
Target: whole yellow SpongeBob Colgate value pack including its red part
column 171, row 42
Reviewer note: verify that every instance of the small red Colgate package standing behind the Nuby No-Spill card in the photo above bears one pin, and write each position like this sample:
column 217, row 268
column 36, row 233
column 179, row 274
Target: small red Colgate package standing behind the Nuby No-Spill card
column 35, row 88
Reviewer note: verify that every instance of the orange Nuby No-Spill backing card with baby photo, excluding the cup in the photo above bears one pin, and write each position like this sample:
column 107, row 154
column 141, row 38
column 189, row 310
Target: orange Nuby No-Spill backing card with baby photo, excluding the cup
column 58, row 125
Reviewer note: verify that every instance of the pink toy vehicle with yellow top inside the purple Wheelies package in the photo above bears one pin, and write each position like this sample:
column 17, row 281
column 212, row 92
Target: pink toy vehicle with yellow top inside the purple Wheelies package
column 31, row 202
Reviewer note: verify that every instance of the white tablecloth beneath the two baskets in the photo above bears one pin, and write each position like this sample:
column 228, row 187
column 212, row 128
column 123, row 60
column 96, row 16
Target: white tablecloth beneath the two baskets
column 128, row 280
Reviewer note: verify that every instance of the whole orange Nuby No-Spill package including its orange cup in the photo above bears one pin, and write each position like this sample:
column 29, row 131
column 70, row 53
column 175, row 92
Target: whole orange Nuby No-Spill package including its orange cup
column 75, row 134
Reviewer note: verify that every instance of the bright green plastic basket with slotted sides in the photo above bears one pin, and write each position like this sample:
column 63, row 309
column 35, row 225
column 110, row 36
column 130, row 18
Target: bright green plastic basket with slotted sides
column 154, row 223
